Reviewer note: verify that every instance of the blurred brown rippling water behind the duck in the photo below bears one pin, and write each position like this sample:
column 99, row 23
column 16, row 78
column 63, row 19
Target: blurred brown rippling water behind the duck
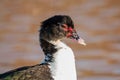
column 97, row 21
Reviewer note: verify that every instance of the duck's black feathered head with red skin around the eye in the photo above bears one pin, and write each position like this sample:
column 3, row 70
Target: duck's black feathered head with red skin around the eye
column 58, row 27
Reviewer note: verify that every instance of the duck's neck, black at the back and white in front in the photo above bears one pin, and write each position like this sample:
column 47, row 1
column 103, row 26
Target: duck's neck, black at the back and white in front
column 60, row 59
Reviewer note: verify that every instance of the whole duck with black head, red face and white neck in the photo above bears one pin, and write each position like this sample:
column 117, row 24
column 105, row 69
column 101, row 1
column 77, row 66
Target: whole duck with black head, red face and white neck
column 59, row 62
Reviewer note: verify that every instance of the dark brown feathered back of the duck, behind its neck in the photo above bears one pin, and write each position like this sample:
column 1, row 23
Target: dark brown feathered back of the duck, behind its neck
column 36, row 72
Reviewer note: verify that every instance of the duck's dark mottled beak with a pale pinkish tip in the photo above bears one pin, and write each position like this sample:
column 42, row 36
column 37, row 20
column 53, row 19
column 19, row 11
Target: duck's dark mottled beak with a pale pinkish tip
column 76, row 37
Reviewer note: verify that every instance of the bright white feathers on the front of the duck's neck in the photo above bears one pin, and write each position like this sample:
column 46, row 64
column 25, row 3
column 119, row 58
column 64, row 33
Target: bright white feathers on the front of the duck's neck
column 63, row 68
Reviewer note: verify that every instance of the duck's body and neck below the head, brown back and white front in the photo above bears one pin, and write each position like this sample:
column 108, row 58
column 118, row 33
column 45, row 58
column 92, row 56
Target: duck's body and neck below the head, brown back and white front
column 59, row 65
